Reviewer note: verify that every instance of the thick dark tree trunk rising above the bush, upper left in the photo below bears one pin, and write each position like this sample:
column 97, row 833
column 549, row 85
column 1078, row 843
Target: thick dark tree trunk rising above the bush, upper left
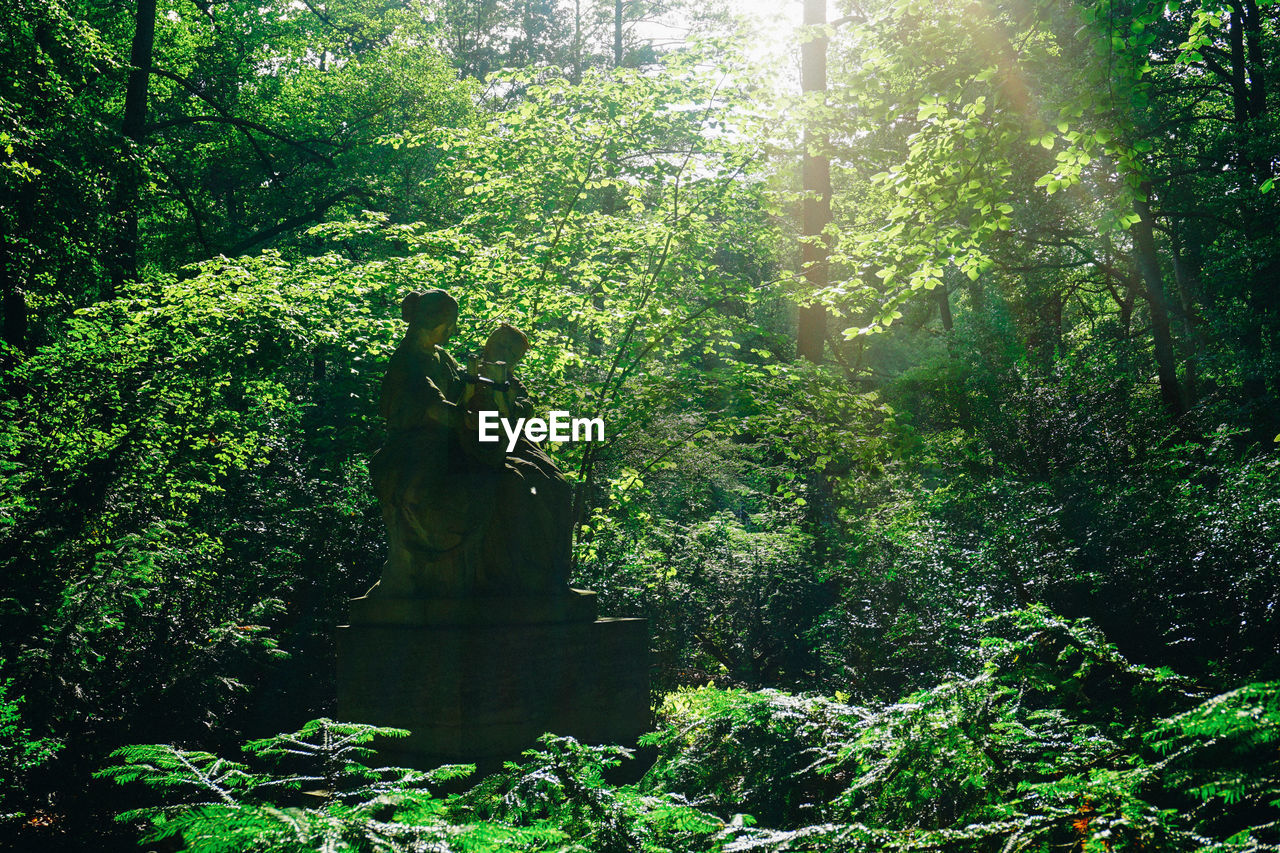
column 134, row 129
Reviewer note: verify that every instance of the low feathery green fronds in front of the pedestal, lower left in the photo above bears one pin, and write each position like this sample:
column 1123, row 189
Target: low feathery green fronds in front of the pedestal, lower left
column 556, row 795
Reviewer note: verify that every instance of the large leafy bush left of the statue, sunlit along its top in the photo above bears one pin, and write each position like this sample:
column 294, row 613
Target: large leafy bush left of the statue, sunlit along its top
column 163, row 462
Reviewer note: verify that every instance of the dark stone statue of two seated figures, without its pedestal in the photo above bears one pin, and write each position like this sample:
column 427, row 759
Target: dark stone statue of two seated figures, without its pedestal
column 464, row 518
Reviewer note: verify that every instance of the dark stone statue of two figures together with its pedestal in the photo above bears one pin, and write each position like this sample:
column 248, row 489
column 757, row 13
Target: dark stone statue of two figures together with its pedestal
column 473, row 640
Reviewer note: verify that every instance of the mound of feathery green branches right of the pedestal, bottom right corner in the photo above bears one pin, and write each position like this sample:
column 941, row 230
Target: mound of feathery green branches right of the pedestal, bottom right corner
column 1055, row 743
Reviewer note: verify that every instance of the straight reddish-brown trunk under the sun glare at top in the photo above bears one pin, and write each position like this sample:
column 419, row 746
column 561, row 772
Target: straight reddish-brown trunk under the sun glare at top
column 816, row 177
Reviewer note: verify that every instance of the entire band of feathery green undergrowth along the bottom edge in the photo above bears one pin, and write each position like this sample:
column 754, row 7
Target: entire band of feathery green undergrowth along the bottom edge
column 1057, row 742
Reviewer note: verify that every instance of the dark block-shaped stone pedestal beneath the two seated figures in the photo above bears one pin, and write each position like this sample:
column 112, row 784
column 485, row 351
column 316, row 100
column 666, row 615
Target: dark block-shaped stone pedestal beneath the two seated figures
column 478, row 681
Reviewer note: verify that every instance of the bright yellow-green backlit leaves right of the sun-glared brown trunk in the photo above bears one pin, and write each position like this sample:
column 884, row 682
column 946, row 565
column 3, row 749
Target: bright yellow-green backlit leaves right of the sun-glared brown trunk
column 950, row 138
